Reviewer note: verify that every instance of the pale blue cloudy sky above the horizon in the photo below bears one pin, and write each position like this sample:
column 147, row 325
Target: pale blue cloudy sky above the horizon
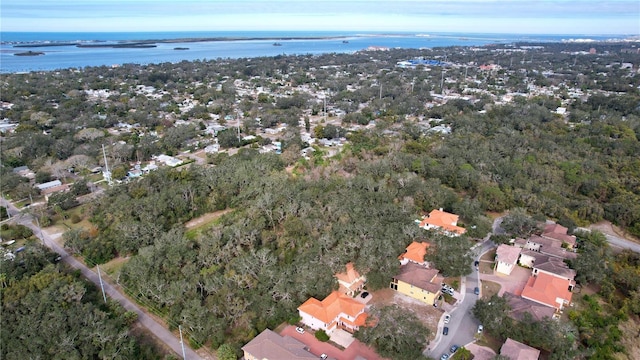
column 415, row 16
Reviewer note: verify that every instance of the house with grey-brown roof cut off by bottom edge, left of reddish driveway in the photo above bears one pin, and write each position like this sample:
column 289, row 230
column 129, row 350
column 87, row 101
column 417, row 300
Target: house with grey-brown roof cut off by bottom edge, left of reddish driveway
column 268, row 345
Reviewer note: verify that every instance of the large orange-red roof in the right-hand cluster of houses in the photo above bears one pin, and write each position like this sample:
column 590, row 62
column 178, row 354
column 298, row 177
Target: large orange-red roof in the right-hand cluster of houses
column 545, row 289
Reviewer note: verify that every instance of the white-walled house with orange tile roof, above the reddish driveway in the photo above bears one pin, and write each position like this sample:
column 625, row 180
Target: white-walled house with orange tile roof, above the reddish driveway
column 336, row 310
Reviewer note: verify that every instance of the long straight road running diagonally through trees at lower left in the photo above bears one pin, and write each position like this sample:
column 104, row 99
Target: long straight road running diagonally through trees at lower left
column 154, row 327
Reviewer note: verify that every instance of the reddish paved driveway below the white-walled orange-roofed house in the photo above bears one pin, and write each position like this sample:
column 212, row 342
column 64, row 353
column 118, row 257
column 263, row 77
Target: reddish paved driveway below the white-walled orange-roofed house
column 318, row 347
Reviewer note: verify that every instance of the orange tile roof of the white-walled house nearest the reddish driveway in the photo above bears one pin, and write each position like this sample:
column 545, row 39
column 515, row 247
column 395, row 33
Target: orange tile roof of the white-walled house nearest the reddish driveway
column 331, row 307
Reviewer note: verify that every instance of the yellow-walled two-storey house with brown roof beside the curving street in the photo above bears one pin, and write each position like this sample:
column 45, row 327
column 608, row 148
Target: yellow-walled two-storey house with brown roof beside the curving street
column 418, row 282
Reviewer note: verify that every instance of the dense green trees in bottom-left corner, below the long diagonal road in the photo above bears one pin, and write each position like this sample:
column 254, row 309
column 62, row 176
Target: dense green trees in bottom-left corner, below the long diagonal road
column 49, row 312
